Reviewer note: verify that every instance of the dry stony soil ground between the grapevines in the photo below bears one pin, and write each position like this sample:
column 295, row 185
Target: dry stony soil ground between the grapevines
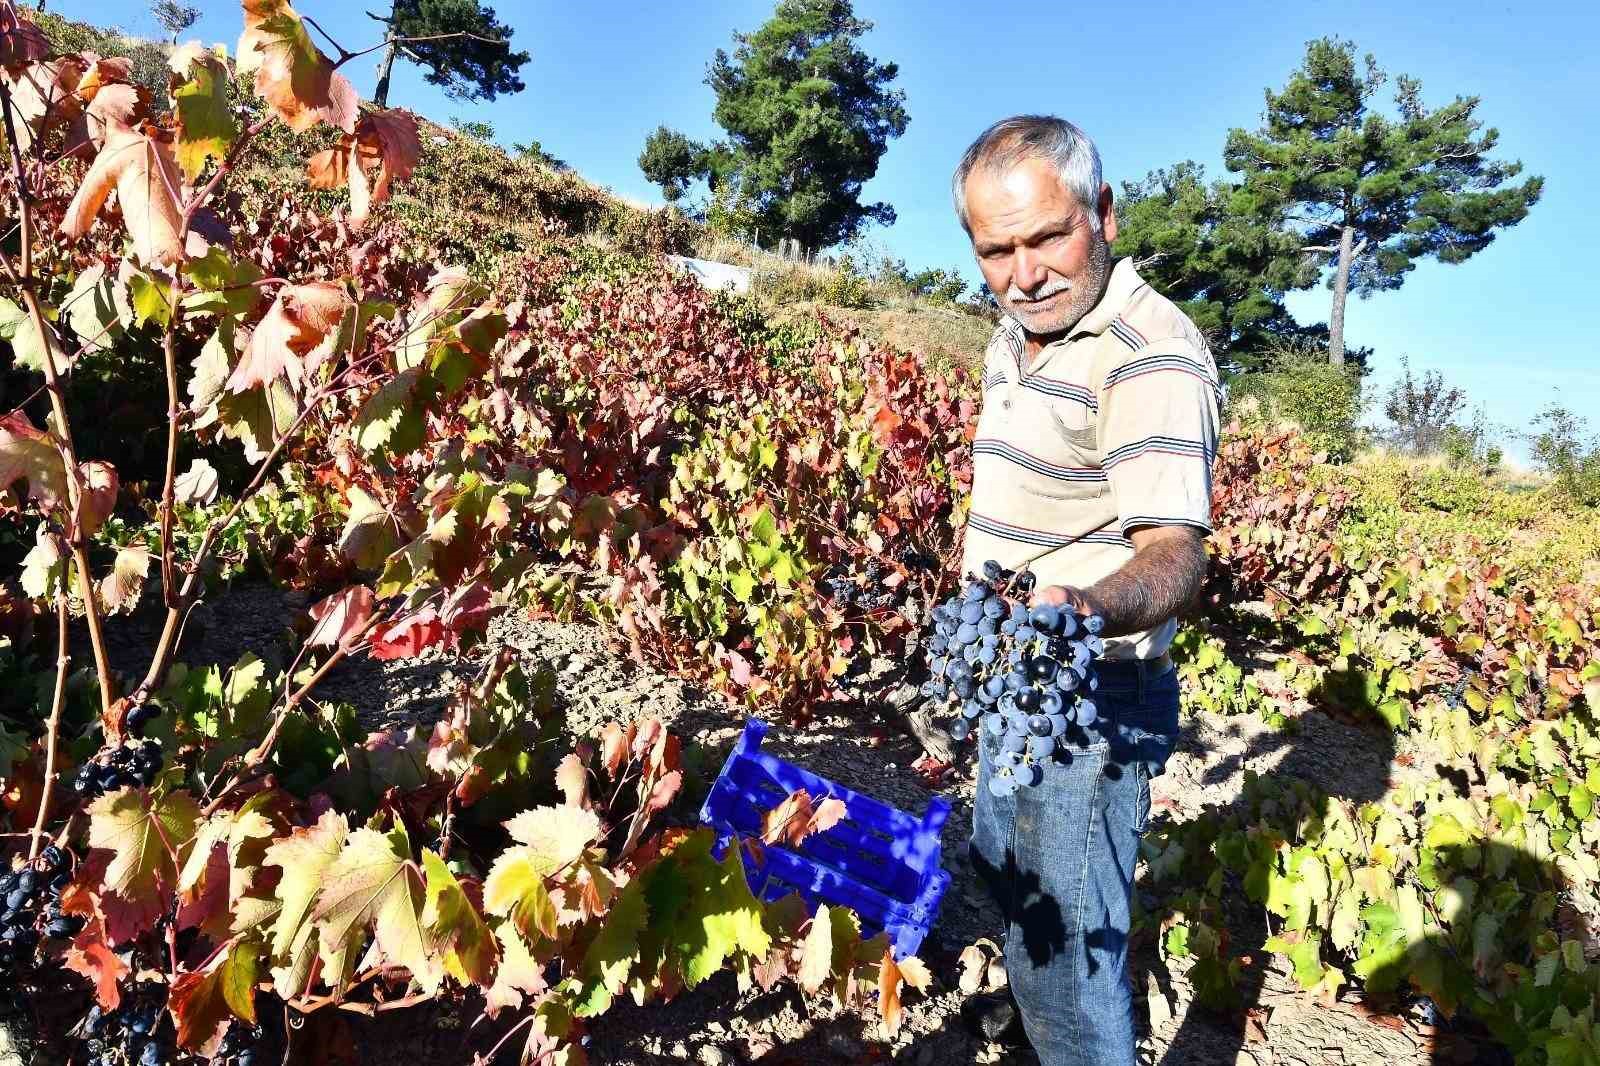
column 860, row 747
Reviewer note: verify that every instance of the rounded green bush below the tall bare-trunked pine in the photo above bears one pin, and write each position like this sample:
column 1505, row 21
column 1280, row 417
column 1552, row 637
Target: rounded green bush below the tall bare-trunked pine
column 1306, row 390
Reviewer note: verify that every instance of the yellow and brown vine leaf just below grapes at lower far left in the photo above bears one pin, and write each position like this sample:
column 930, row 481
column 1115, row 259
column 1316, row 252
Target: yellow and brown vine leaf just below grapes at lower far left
column 143, row 836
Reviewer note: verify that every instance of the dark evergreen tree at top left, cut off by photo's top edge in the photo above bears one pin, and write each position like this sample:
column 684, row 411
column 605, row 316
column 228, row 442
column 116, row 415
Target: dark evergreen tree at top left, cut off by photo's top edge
column 470, row 55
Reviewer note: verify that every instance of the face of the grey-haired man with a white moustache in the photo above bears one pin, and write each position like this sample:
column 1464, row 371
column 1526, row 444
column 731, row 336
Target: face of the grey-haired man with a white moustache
column 1038, row 246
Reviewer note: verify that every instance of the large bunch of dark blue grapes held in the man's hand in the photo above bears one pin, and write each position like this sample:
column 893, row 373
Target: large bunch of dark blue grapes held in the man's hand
column 1022, row 675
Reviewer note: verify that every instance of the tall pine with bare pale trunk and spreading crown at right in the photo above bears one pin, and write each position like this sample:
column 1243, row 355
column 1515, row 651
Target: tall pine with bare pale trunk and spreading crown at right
column 1370, row 193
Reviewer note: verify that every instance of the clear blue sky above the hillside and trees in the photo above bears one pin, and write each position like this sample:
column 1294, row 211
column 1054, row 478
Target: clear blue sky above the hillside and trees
column 1153, row 84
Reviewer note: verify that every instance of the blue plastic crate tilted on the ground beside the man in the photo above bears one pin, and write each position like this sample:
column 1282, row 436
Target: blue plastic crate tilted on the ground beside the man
column 879, row 862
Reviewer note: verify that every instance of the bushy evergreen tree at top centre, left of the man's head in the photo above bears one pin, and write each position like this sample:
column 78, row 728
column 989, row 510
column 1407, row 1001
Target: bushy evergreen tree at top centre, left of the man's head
column 809, row 116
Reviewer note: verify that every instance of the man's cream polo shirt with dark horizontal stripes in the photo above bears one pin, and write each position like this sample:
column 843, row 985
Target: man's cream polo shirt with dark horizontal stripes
column 1110, row 428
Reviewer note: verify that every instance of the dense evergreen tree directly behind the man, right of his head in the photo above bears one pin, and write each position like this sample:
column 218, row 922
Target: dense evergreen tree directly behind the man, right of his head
column 1212, row 249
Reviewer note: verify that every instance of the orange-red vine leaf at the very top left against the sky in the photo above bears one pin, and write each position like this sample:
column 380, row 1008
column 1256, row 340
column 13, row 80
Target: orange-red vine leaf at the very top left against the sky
column 297, row 81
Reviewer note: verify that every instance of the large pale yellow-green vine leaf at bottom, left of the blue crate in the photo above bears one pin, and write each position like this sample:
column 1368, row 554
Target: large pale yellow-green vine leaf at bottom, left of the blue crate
column 375, row 884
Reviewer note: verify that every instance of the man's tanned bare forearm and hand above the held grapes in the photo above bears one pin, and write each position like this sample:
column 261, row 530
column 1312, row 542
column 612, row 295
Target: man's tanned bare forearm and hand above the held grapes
column 1158, row 583
